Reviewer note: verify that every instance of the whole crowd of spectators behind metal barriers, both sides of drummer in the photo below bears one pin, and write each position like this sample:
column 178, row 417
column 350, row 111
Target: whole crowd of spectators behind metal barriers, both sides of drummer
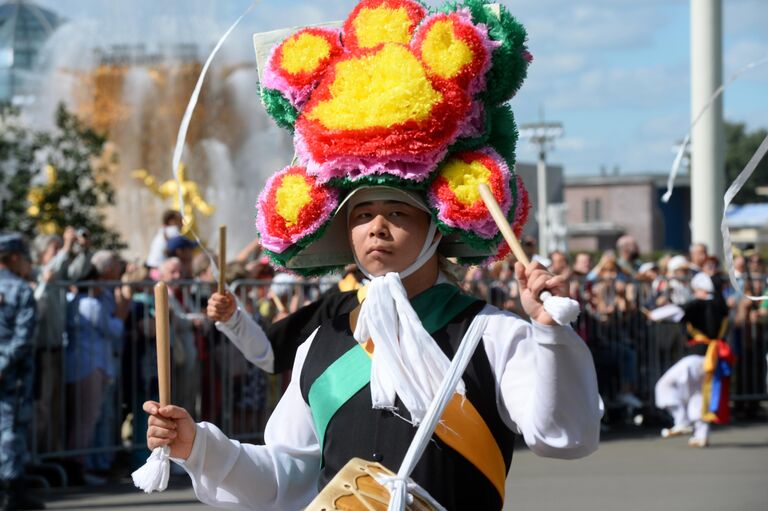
column 95, row 359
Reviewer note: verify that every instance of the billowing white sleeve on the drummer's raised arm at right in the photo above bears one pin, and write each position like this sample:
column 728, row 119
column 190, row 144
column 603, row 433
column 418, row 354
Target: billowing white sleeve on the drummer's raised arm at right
column 546, row 385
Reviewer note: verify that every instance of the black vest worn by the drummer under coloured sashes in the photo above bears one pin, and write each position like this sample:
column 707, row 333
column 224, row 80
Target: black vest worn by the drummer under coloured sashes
column 357, row 430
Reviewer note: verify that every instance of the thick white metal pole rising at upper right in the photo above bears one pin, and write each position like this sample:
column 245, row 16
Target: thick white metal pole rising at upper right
column 707, row 140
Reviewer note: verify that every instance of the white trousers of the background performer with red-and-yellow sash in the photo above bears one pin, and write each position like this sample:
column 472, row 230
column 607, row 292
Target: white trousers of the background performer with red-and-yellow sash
column 679, row 392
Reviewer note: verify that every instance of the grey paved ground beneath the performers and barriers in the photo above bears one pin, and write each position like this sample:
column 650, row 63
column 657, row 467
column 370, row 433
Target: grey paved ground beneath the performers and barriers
column 629, row 473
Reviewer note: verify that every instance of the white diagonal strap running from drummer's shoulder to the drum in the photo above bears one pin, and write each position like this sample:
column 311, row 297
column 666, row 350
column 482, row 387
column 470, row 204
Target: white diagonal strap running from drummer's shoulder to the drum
column 399, row 485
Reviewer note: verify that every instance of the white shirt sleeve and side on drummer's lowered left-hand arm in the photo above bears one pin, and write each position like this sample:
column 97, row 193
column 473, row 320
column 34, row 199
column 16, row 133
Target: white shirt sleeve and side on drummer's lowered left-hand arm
column 279, row 475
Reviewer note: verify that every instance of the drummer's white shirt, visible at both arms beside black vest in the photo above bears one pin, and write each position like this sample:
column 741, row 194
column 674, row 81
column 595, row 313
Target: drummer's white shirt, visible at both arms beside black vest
column 546, row 390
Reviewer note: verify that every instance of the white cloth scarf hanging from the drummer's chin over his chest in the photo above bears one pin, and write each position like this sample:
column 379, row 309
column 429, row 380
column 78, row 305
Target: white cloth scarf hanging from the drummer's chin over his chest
column 407, row 362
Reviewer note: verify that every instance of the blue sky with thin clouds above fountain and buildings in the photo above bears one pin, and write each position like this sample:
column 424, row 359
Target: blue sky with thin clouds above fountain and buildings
column 614, row 72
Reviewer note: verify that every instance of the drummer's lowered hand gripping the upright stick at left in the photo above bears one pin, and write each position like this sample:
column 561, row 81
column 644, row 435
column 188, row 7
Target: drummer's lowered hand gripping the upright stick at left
column 172, row 426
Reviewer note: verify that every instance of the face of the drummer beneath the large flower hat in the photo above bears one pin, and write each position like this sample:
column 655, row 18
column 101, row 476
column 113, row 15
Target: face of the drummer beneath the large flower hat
column 387, row 236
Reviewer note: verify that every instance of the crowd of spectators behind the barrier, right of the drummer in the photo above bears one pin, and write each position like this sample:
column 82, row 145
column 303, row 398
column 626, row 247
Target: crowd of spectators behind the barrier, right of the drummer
column 619, row 290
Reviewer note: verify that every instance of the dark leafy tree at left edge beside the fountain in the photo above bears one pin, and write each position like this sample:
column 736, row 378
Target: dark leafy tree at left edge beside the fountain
column 80, row 191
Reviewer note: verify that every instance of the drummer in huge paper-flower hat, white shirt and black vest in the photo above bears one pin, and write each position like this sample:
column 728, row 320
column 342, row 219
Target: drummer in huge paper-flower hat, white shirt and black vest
column 397, row 117
